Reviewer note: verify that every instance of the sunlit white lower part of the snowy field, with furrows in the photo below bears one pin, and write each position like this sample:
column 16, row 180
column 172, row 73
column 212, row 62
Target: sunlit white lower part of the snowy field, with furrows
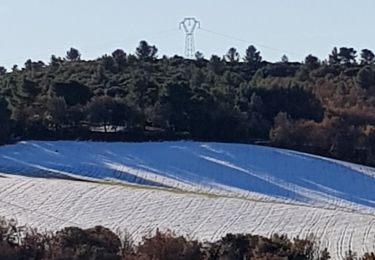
column 53, row 204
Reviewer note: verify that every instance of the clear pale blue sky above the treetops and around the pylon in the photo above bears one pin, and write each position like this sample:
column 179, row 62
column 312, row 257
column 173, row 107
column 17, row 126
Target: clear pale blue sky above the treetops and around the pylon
column 38, row 28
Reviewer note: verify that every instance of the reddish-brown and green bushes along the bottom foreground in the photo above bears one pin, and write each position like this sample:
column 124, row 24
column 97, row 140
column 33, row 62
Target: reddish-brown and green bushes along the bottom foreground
column 100, row 243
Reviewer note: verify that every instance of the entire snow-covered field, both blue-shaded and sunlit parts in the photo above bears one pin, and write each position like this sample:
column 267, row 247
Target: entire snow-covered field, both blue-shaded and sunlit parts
column 204, row 190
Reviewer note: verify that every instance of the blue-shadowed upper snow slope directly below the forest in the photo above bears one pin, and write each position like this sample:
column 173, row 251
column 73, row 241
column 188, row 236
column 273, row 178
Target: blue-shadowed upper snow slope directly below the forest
column 242, row 170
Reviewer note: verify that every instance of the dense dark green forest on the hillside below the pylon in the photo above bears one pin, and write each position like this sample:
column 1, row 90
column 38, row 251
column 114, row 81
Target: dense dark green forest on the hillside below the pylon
column 324, row 107
